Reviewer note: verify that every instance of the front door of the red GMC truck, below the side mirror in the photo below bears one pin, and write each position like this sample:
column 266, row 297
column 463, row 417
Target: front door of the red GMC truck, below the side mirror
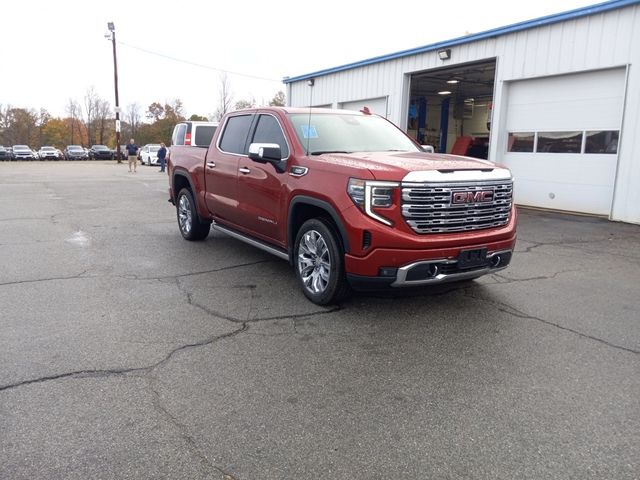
column 261, row 187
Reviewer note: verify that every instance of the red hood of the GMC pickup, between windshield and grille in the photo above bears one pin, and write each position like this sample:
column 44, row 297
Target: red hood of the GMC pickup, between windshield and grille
column 395, row 166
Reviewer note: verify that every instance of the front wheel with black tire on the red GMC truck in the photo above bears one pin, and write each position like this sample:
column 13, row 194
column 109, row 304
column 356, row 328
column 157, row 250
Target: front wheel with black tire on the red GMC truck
column 319, row 262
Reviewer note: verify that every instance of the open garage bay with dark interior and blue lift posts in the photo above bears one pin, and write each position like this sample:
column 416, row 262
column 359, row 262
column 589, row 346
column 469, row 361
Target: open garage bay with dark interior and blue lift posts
column 450, row 108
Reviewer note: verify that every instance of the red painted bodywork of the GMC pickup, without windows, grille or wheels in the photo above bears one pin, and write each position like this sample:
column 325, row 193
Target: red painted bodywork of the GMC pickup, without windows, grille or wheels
column 254, row 199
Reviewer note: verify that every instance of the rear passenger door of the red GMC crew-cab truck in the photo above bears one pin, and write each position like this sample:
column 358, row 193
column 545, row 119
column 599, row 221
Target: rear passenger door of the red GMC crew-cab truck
column 221, row 168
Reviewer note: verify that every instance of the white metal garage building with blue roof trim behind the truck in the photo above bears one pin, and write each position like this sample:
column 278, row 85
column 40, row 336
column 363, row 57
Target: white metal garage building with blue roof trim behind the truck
column 556, row 99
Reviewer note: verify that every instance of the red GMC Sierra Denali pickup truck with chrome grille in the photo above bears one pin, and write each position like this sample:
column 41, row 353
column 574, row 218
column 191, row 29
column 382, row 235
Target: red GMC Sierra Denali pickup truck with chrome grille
column 347, row 198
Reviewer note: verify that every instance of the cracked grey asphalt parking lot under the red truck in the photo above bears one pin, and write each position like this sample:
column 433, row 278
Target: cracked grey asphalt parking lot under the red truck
column 129, row 353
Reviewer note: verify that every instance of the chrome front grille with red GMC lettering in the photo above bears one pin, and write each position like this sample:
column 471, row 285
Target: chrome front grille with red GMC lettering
column 460, row 207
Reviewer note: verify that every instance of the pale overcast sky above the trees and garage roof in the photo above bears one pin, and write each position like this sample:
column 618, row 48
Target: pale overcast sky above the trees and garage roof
column 53, row 51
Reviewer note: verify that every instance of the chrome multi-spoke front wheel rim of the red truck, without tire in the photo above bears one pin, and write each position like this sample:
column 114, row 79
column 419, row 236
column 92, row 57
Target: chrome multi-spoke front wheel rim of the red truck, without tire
column 314, row 262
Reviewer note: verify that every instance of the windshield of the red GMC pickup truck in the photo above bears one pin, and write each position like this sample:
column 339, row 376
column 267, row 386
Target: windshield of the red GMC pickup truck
column 345, row 133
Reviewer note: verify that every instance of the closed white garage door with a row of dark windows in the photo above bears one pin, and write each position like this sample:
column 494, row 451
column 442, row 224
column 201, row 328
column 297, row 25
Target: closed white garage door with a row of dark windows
column 562, row 138
